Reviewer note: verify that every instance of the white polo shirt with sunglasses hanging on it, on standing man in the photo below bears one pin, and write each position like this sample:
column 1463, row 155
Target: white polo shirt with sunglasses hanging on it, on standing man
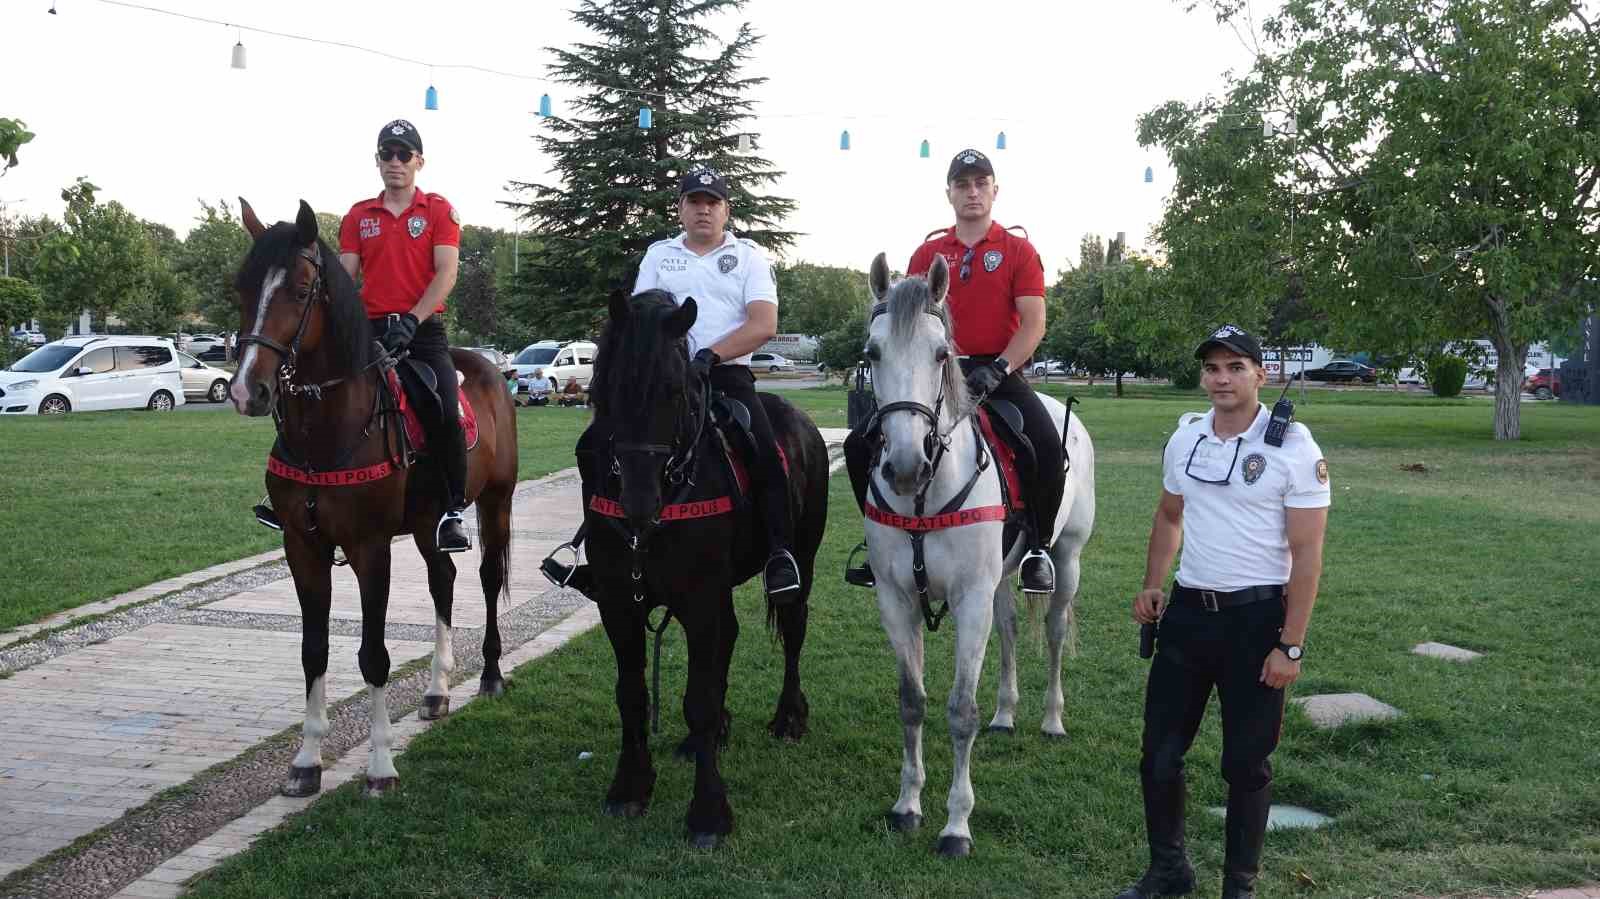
column 1236, row 535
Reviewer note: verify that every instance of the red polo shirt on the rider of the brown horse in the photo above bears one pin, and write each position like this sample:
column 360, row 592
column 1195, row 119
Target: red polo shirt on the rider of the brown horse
column 398, row 252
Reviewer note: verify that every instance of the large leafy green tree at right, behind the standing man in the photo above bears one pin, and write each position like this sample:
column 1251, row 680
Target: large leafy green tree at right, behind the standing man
column 1441, row 180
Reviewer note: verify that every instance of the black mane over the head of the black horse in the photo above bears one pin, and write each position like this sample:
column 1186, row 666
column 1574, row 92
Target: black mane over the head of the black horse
column 634, row 366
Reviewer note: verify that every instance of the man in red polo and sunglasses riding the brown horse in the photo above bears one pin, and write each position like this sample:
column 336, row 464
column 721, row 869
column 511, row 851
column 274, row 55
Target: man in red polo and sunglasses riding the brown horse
column 407, row 246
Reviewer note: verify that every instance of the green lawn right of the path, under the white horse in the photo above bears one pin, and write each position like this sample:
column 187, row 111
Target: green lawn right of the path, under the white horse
column 1489, row 783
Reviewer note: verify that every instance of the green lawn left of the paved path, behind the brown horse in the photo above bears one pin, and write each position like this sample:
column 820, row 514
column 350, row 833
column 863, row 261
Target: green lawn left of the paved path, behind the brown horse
column 100, row 503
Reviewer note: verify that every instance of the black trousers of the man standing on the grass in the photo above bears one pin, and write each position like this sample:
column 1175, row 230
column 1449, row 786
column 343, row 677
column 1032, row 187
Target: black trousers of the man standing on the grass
column 1196, row 652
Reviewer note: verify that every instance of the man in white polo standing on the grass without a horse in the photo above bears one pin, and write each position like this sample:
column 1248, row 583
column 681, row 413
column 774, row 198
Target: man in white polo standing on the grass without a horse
column 1250, row 517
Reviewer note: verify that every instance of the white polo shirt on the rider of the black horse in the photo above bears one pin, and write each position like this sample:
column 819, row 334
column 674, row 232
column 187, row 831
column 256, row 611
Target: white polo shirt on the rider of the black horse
column 722, row 284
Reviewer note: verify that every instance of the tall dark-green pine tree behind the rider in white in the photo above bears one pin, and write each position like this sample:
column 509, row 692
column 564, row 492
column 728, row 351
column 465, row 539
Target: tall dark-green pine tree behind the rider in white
column 618, row 183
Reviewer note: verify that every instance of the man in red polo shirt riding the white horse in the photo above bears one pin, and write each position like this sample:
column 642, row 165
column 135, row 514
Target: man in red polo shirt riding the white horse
column 998, row 316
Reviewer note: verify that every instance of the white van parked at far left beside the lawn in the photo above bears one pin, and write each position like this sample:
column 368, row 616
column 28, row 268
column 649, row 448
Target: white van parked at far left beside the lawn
column 94, row 372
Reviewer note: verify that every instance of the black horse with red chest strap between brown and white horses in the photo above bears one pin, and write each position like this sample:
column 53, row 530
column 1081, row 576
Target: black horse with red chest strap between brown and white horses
column 668, row 527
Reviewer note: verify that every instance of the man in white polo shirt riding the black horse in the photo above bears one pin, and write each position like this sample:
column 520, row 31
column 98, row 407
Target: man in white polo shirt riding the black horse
column 737, row 298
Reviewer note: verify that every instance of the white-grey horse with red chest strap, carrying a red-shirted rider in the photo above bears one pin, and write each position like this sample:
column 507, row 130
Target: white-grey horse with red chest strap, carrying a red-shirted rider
column 922, row 406
